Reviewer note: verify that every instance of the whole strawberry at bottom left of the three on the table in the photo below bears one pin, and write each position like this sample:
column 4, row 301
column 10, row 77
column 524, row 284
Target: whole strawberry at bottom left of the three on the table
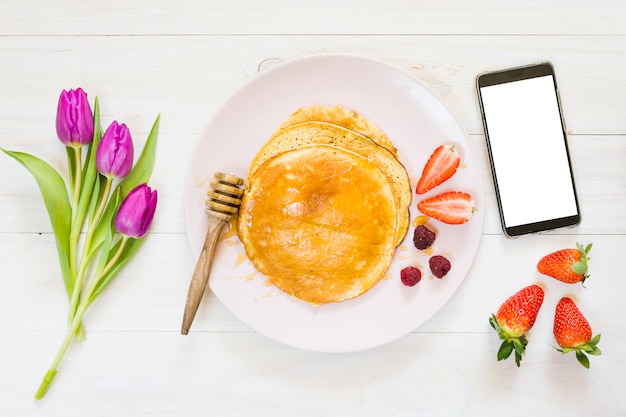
column 515, row 317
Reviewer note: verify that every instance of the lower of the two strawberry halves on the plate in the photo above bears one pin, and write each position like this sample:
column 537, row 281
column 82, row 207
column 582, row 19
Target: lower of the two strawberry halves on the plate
column 451, row 207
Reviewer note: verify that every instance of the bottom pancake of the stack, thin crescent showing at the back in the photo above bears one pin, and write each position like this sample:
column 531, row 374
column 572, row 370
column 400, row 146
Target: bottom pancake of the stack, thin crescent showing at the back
column 344, row 117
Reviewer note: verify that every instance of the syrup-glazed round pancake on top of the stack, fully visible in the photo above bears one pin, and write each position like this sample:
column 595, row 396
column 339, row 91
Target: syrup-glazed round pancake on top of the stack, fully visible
column 319, row 222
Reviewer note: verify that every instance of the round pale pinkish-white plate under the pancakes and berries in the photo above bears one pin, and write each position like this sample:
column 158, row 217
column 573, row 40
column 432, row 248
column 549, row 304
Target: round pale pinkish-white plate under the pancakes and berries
column 416, row 120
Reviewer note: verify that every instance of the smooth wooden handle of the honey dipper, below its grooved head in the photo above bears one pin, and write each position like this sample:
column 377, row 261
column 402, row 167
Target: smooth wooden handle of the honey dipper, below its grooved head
column 201, row 274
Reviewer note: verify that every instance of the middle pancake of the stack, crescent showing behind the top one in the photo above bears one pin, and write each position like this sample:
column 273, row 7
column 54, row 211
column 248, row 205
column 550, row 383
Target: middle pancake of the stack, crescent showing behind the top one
column 313, row 133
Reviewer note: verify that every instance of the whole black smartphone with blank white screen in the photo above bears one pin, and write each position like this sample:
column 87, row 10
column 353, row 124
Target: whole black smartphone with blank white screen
column 528, row 152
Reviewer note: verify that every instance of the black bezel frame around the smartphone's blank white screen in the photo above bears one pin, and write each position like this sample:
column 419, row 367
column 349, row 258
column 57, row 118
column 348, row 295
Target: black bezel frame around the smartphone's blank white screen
column 517, row 74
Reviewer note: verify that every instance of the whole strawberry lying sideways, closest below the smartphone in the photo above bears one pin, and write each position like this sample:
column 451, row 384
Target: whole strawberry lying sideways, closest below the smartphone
column 566, row 265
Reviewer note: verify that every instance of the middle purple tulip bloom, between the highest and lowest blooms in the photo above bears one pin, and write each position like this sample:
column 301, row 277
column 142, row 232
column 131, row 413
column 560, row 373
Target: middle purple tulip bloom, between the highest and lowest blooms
column 114, row 156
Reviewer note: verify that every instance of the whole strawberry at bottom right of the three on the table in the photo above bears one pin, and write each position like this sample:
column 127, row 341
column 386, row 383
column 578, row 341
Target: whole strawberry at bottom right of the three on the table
column 573, row 332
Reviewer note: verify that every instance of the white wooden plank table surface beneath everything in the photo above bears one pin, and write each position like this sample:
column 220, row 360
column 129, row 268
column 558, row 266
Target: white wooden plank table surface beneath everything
column 183, row 60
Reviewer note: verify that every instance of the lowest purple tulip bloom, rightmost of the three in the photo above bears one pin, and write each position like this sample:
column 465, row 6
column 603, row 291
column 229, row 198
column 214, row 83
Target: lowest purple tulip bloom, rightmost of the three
column 135, row 215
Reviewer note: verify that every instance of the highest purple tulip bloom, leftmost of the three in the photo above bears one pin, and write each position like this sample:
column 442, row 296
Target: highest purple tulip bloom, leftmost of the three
column 74, row 118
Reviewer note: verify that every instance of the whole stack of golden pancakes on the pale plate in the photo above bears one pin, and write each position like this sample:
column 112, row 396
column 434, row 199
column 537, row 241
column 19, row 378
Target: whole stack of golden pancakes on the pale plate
column 326, row 204
